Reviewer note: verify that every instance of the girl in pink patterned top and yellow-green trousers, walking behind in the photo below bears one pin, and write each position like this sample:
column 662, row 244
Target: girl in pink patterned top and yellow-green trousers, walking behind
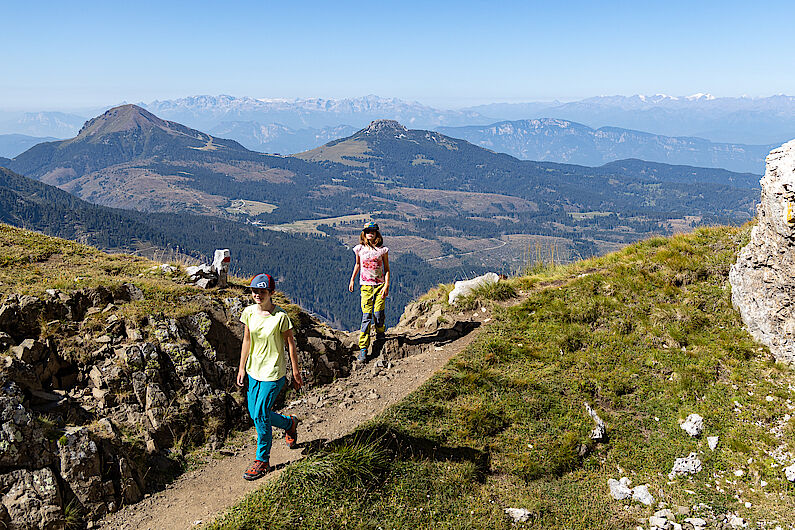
column 372, row 264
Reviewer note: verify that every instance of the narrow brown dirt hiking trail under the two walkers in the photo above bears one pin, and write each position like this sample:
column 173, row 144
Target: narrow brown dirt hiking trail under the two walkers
column 326, row 413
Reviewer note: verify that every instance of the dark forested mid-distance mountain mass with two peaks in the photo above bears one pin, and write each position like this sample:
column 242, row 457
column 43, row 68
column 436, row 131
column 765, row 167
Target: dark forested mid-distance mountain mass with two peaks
column 128, row 157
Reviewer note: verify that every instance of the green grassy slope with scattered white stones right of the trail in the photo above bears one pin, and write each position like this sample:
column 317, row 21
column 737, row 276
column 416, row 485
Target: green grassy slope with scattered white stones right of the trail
column 648, row 337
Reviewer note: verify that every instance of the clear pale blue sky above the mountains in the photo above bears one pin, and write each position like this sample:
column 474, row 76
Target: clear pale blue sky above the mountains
column 60, row 55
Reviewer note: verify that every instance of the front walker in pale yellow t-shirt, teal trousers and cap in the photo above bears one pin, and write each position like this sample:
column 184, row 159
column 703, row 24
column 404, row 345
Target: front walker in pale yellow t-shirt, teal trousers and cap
column 262, row 359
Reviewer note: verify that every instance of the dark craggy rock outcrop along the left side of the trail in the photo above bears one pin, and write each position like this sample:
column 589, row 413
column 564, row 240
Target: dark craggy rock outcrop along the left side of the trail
column 97, row 405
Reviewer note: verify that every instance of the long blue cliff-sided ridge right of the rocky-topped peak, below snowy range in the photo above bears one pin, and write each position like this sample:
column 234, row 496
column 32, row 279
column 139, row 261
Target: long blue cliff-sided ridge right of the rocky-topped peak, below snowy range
column 557, row 140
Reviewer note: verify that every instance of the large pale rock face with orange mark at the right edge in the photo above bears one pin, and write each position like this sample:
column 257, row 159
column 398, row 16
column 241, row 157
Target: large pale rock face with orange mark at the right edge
column 763, row 278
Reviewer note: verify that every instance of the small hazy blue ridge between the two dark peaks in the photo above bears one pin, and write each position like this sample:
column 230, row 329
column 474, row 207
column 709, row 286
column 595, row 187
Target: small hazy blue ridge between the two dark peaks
column 276, row 138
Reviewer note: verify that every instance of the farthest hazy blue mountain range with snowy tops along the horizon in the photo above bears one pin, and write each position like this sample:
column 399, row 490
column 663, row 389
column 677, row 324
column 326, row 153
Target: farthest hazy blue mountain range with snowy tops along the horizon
column 744, row 120
